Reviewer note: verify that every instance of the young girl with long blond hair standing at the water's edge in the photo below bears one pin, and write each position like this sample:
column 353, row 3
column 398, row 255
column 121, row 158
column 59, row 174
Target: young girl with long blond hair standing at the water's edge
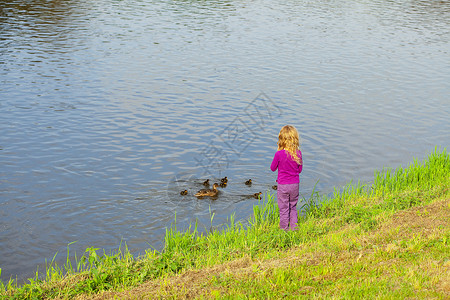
column 288, row 161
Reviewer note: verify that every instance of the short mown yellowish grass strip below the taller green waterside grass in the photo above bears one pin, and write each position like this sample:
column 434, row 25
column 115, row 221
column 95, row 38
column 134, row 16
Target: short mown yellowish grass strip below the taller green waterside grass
column 405, row 257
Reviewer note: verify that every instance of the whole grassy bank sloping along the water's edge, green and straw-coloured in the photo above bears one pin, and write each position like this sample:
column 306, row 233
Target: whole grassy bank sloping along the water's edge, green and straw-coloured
column 388, row 239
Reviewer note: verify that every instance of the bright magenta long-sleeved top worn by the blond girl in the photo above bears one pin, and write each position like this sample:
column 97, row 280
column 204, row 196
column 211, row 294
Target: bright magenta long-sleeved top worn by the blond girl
column 288, row 169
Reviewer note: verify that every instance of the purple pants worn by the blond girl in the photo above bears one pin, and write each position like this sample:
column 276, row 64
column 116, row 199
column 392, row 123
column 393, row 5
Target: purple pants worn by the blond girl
column 287, row 196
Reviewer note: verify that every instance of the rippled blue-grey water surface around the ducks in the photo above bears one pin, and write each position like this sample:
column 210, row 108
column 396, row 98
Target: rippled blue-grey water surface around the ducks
column 109, row 109
